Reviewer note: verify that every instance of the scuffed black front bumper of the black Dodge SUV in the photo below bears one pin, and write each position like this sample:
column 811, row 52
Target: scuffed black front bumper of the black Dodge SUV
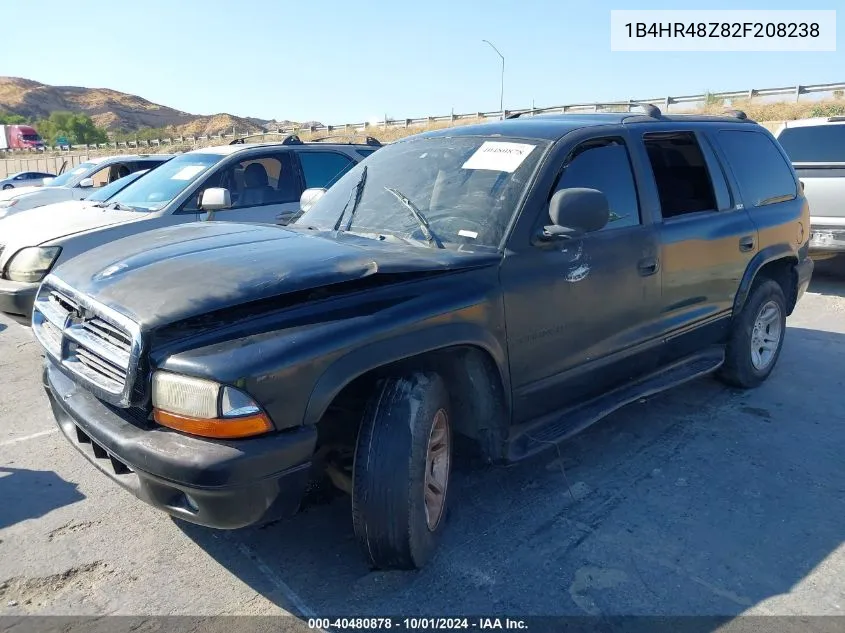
column 220, row 484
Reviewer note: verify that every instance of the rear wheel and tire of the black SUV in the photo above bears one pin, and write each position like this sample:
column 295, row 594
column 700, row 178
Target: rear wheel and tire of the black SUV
column 751, row 353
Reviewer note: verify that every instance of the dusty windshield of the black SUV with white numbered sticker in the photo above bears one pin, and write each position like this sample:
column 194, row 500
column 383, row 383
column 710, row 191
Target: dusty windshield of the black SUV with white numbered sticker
column 463, row 190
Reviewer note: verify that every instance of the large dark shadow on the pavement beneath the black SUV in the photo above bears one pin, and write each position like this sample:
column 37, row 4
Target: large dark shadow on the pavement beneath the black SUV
column 701, row 501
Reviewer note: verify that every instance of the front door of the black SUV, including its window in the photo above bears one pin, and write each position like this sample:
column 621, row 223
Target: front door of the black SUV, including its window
column 579, row 310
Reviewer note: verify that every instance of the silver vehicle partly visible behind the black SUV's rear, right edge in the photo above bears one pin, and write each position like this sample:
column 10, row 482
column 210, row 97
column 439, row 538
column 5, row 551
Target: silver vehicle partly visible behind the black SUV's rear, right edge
column 816, row 148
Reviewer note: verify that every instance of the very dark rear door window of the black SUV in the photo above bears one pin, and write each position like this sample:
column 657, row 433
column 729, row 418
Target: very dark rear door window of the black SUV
column 683, row 180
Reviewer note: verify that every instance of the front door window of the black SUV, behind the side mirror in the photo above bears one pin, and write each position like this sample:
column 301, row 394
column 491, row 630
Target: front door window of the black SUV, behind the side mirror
column 604, row 165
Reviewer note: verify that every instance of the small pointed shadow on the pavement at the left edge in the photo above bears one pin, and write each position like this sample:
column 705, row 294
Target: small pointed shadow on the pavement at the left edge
column 29, row 494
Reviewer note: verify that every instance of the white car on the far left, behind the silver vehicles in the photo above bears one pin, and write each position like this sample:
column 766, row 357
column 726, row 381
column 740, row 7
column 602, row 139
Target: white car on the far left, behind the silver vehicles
column 78, row 182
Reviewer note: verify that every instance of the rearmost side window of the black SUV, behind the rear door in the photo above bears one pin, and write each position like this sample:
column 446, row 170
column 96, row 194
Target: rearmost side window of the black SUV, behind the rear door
column 763, row 174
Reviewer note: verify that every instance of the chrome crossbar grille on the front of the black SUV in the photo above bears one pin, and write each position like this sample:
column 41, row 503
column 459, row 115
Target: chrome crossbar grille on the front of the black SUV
column 98, row 345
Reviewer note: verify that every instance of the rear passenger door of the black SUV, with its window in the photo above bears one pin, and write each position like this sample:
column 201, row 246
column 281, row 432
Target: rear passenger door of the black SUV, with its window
column 707, row 239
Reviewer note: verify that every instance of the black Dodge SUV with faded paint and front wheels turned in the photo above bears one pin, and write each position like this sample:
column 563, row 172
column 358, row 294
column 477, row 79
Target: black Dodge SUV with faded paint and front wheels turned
column 511, row 282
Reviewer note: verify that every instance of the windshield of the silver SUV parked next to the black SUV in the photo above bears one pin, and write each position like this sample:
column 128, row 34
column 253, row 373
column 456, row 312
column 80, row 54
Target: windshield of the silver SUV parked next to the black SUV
column 158, row 188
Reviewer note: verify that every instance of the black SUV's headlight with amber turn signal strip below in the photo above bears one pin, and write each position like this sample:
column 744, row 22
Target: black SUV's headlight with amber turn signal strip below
column 204, row 407
